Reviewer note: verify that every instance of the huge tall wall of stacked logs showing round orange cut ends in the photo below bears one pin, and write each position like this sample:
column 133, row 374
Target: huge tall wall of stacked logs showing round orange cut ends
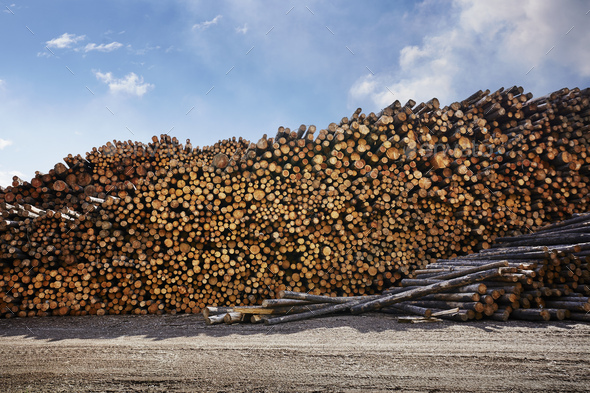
column 344, row 211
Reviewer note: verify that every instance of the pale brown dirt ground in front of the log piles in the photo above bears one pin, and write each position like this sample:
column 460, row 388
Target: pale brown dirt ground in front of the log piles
column 338, row 354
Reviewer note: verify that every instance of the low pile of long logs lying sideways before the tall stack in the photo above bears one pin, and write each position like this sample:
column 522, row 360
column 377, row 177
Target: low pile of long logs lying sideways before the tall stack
column 540, row 276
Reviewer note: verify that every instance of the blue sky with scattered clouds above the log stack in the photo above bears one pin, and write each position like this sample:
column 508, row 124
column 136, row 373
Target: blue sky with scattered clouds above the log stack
column 75, row 75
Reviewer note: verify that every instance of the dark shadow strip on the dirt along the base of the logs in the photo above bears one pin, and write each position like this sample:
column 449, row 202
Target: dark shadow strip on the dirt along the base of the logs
column 161, row 327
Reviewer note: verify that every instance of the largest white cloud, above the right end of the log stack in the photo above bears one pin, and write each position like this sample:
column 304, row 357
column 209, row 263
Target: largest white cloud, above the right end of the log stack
column 490, row 43
